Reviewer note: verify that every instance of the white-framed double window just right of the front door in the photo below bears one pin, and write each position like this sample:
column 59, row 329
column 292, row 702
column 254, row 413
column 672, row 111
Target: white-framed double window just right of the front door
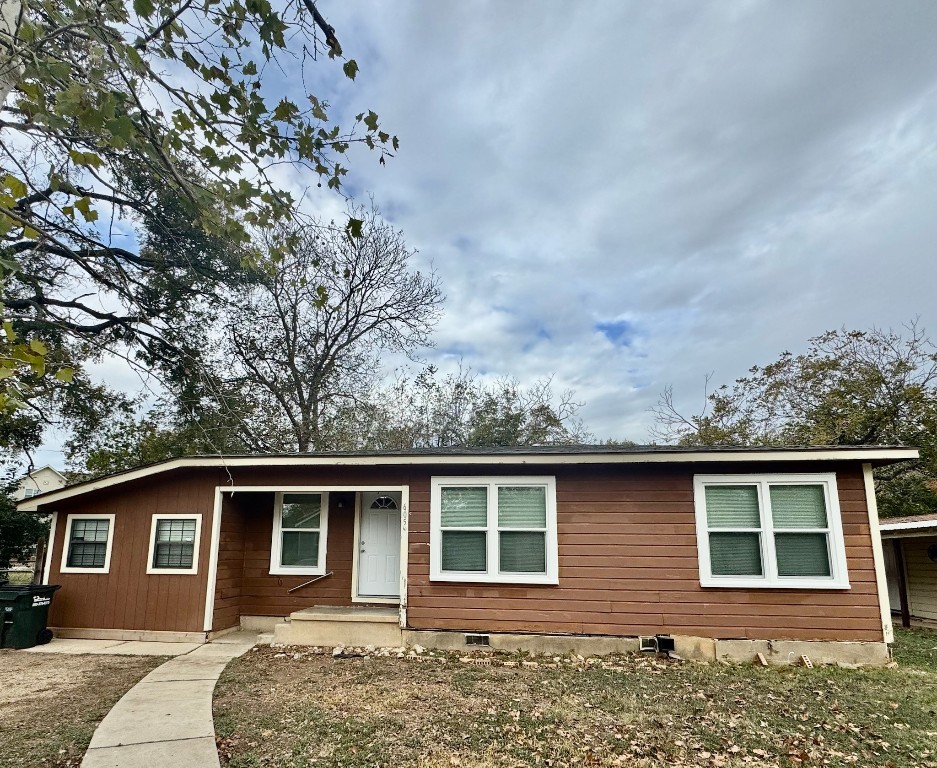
column 493, row 529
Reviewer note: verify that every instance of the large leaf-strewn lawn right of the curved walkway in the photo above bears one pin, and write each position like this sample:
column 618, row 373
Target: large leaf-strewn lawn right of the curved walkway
column 301, row 709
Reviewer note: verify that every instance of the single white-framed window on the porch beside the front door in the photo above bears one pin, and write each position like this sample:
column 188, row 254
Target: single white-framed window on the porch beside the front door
column 299, row 533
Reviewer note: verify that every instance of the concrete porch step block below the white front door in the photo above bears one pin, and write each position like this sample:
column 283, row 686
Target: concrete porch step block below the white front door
column 329, row 627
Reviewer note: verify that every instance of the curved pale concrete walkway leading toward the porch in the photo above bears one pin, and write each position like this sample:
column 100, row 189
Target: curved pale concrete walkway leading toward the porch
column 165, row 720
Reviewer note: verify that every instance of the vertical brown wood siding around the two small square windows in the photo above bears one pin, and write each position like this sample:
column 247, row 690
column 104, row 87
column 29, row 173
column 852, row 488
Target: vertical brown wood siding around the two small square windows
column 127, row 597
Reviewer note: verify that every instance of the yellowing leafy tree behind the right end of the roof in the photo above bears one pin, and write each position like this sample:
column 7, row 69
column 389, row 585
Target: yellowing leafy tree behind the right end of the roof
column 849, row 388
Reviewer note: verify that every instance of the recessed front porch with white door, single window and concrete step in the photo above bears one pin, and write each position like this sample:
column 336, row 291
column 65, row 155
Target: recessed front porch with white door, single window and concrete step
column 320, row 561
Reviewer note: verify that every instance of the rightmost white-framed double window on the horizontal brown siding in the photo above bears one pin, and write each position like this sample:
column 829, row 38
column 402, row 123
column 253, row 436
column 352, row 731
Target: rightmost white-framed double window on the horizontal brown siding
column 770, row 531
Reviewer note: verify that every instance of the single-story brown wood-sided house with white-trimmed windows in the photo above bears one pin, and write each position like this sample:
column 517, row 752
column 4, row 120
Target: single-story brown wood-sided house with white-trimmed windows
column 717, row 553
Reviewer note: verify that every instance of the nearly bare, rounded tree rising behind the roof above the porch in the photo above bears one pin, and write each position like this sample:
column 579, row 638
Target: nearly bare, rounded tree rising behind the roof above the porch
column 302, row 341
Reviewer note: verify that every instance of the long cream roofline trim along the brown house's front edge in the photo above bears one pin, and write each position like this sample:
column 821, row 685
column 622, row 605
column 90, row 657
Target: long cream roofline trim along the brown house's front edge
column 657, row 456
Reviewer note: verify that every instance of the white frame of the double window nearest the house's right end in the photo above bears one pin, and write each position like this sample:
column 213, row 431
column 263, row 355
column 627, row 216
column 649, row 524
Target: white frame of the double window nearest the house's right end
column 839, row 574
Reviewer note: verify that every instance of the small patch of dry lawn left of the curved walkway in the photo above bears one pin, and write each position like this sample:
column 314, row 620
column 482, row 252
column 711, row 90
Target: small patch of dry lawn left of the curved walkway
column 50, row 704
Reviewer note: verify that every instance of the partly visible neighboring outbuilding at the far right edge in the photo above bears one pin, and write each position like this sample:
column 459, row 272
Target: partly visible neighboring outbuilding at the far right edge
column 910, row 549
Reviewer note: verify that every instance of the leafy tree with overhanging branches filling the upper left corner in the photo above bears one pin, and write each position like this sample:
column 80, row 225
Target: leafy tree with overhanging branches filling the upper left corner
column 120, row 108
